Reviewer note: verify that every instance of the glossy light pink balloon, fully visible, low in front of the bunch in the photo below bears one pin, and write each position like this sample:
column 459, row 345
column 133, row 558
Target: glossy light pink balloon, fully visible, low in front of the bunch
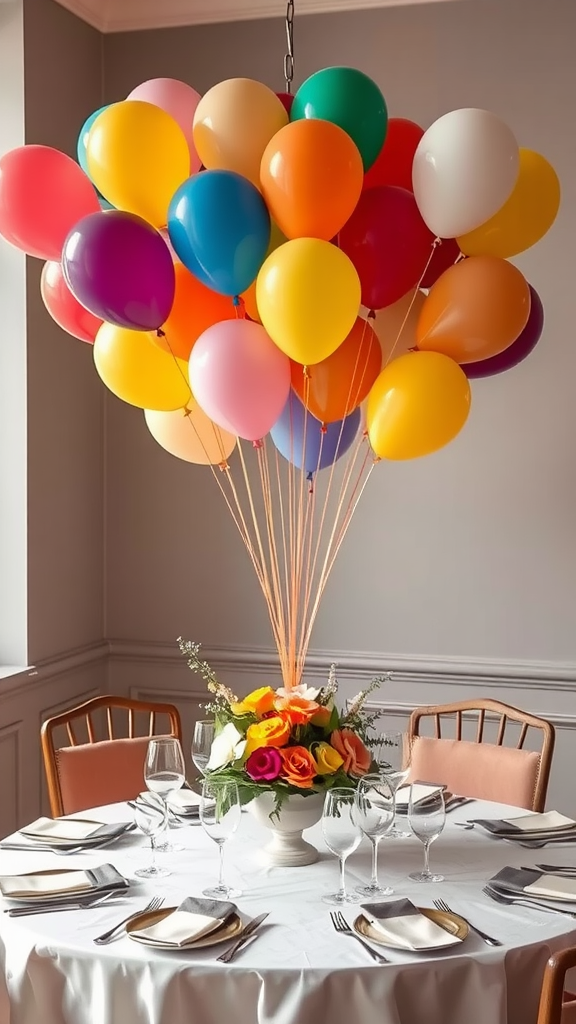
column 240, row 378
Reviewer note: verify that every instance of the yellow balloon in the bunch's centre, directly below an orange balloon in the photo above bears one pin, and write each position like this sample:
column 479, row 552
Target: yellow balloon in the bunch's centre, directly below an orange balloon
column 308, row 293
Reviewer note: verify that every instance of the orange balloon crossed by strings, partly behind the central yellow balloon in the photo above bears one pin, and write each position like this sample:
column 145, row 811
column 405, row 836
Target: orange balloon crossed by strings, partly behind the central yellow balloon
column 337, row 386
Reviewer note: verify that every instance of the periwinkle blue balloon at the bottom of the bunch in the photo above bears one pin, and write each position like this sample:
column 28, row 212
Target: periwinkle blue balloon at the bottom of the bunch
column 320, row 450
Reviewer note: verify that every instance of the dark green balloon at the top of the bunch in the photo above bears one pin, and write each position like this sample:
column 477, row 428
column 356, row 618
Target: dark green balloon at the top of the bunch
column 351, row 100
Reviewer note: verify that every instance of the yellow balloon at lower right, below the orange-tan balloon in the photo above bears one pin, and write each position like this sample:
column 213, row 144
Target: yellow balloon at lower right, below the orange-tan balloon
column 419, row 404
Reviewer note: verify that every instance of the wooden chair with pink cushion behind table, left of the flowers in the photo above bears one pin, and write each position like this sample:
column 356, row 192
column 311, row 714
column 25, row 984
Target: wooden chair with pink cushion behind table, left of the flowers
column 104, row 767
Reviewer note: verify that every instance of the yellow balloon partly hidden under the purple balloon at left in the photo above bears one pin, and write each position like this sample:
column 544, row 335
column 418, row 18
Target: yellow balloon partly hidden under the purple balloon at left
column 138, row 371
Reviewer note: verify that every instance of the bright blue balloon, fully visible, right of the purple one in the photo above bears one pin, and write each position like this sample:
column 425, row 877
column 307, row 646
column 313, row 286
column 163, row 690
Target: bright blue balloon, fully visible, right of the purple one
column 220, row 227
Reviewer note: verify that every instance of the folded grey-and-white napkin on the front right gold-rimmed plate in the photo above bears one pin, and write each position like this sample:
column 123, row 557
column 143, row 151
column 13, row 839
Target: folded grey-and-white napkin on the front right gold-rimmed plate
column 401, row 924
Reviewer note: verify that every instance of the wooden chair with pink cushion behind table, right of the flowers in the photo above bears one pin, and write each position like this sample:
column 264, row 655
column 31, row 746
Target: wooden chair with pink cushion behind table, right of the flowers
column 479, row 769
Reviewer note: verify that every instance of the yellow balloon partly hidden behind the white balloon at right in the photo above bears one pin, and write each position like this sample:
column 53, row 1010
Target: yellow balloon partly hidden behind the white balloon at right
column 525, row 218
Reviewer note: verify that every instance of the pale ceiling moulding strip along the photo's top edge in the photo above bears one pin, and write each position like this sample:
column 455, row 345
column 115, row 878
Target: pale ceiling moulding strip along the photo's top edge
column 128, row 16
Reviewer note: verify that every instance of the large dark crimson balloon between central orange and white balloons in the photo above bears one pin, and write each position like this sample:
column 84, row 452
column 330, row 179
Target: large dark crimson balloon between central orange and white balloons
column 389, row 244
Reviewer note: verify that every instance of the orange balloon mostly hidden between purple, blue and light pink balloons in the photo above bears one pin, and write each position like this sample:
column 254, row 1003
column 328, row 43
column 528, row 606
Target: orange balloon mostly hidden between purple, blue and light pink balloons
column 195, row 310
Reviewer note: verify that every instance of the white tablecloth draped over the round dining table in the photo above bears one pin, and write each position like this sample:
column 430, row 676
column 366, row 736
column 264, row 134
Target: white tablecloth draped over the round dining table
column 299, row 971
